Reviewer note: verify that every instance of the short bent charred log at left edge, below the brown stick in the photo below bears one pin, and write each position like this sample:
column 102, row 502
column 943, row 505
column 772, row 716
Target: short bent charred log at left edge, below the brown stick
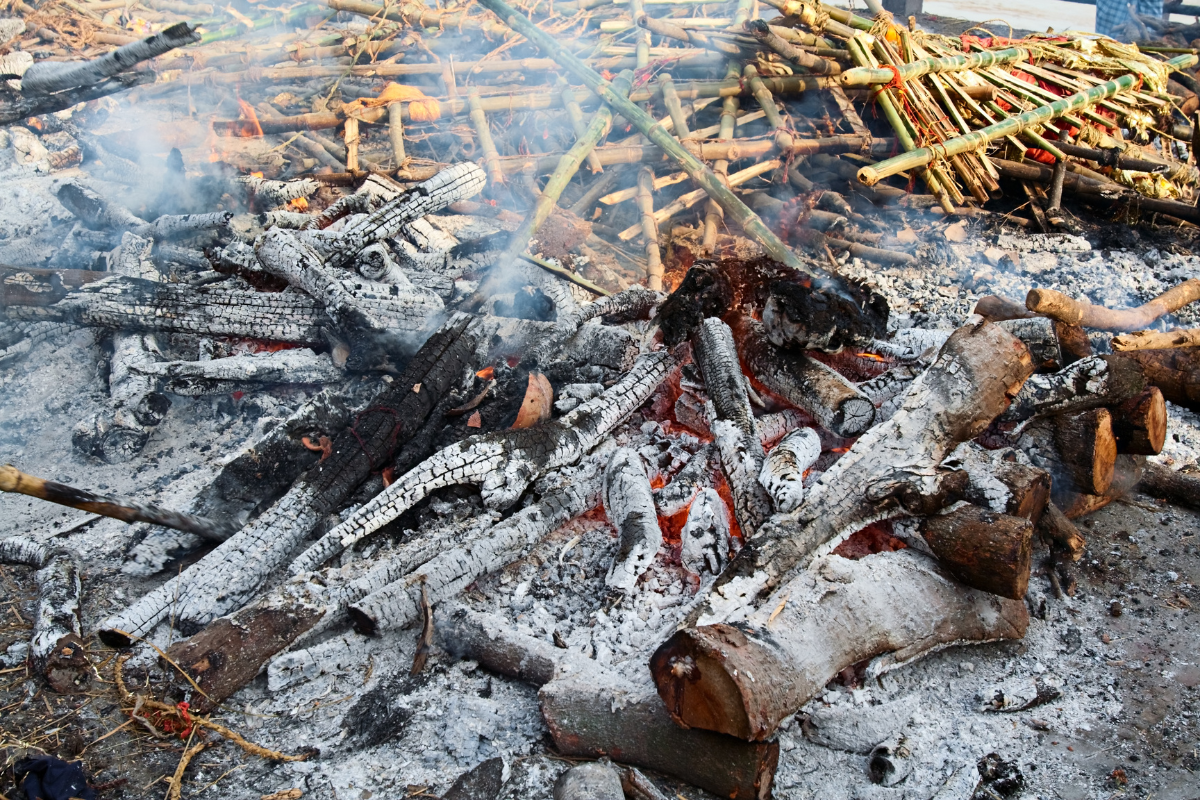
column 57, row 651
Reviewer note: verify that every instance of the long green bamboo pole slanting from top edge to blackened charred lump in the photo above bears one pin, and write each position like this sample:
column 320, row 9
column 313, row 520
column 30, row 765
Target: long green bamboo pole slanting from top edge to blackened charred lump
column 739, row 212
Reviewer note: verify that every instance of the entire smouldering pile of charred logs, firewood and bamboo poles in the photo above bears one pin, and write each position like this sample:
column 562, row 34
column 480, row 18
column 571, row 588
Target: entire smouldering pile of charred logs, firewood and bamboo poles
column 602, row 293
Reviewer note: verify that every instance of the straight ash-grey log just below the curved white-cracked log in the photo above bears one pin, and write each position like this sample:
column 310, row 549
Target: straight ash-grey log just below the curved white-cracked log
column 398, row 605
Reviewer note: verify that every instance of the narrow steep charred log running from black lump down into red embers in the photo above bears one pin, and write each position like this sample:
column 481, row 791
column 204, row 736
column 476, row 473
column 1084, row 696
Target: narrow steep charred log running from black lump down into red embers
column 739, row 443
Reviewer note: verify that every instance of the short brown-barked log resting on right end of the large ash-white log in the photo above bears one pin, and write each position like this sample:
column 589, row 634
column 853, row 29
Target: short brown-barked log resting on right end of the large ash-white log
column 982, row 549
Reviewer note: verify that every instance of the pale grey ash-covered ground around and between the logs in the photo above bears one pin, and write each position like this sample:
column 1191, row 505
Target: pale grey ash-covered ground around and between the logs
column 1121, row 653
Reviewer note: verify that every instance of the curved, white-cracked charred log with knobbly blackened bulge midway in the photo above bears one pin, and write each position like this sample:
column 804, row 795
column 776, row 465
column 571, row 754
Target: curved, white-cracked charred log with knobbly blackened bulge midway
column 503, row 465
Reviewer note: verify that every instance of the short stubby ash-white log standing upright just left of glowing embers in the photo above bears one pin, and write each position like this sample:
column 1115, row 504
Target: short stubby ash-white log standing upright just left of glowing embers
column 631, row 509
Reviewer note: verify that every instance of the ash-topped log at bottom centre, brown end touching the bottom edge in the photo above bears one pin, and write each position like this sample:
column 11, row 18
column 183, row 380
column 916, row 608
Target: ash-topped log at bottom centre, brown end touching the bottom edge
column 595, row 713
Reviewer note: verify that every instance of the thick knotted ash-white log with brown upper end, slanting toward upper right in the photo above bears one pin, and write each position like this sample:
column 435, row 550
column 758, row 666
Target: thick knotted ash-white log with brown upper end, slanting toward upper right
column 891, row 470
